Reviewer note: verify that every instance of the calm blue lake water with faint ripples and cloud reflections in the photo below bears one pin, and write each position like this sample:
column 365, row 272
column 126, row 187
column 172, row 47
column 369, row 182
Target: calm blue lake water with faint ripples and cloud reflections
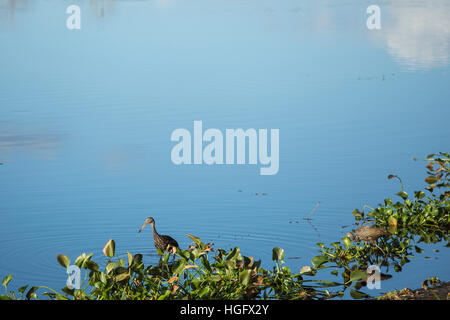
column 86, row 118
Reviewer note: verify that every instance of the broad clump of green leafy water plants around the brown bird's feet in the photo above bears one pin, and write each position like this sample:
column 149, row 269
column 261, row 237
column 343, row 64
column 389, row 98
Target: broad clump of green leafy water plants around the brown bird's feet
column 199, row 272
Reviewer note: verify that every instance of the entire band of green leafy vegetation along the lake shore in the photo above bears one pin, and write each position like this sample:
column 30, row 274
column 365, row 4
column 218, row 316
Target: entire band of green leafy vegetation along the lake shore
column 203, row 272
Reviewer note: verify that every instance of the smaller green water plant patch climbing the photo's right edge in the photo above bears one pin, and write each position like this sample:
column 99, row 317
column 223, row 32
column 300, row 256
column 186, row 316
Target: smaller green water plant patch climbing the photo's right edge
column 421, row 219
